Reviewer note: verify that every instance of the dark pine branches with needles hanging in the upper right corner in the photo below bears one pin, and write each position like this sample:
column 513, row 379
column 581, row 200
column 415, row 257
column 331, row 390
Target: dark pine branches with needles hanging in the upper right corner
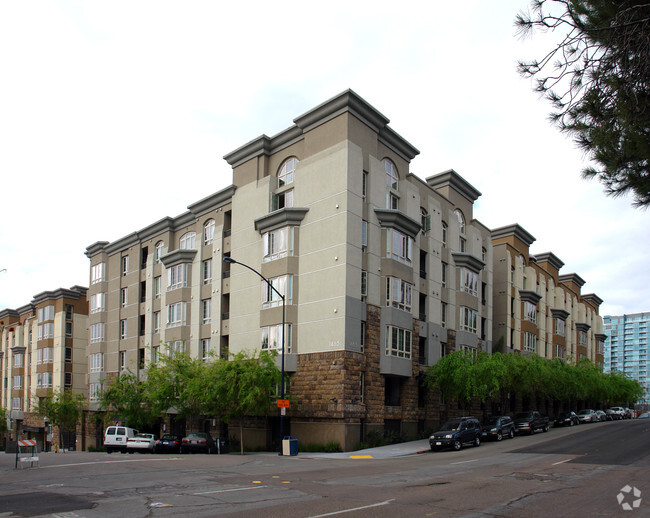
column 597, row 79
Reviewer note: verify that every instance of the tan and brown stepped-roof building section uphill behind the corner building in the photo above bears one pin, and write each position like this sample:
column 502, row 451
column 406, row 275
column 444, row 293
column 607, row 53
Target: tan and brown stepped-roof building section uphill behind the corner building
column 537, row 309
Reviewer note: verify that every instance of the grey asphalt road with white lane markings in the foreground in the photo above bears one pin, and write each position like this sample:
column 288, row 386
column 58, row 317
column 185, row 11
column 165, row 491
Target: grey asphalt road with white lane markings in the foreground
column 574, row 472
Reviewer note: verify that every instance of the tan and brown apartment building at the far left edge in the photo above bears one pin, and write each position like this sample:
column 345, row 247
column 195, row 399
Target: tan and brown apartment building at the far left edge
column 42, row 349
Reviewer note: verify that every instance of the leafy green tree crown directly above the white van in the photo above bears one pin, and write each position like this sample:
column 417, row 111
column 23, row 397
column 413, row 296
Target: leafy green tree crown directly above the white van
column 127, row 399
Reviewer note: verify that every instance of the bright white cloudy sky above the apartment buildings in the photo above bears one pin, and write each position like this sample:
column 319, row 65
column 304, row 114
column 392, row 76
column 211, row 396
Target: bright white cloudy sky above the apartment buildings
column 114, row 114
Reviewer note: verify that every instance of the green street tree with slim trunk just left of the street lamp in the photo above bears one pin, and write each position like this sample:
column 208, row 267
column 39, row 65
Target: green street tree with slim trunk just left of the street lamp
column 244, row 386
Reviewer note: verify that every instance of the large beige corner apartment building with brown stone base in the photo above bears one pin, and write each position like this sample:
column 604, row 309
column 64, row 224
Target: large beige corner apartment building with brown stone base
column 382, row 274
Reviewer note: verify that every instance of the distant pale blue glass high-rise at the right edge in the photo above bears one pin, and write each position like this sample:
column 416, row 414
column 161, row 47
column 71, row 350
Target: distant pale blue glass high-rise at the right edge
column 626, row 348
